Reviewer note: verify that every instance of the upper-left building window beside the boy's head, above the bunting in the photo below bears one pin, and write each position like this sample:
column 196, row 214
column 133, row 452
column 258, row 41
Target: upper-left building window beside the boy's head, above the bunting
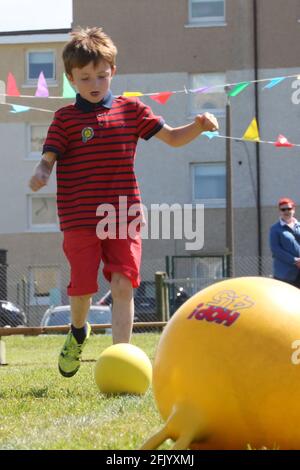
column 41, row 61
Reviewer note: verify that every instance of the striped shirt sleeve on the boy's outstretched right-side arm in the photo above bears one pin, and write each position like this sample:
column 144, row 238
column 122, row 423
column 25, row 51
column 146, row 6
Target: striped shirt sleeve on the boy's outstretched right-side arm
column 148, row 124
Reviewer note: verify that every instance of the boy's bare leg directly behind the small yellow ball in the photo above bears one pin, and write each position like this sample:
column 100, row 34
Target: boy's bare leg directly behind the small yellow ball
column 122, row 308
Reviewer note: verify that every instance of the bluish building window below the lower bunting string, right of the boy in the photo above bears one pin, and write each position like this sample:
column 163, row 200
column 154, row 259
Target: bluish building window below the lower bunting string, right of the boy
column 209, row 184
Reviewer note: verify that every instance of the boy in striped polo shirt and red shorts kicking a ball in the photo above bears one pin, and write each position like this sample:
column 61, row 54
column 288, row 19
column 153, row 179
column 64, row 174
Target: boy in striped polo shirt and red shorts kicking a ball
column 93, row 143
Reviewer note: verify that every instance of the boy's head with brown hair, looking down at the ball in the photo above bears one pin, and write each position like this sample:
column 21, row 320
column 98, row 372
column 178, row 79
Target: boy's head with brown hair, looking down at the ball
column 89, row 58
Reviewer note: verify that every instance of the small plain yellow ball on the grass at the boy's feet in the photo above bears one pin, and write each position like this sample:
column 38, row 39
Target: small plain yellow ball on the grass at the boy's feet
column 123, row 368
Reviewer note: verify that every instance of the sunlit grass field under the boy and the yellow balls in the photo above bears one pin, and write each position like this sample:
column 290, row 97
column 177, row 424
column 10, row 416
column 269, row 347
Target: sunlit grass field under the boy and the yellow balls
column 39, row 409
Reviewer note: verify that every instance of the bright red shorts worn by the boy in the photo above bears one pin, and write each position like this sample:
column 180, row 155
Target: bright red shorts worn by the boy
column 84, row 251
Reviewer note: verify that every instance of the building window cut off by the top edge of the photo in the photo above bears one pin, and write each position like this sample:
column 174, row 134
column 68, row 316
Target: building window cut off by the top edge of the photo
column 205, row 12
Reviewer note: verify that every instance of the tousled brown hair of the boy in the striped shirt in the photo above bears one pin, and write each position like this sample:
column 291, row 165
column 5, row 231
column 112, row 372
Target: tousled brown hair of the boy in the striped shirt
column 88, row 45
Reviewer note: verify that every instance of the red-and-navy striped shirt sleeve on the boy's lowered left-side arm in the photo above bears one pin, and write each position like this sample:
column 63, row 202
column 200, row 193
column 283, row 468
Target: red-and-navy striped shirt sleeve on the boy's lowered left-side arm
column 57, row 139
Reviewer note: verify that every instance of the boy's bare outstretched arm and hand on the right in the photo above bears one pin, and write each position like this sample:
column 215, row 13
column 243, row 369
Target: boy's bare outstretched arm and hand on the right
column 178, row 136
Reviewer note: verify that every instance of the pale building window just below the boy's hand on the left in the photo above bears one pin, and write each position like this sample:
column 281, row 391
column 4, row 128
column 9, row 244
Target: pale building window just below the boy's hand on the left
column 42, row 213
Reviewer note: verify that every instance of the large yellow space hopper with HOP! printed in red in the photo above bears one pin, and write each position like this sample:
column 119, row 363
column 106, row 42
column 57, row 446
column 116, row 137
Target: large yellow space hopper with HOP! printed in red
column 226, row 371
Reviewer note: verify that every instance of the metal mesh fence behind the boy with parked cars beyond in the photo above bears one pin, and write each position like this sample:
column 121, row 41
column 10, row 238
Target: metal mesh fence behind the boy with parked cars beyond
column 37, row 295
